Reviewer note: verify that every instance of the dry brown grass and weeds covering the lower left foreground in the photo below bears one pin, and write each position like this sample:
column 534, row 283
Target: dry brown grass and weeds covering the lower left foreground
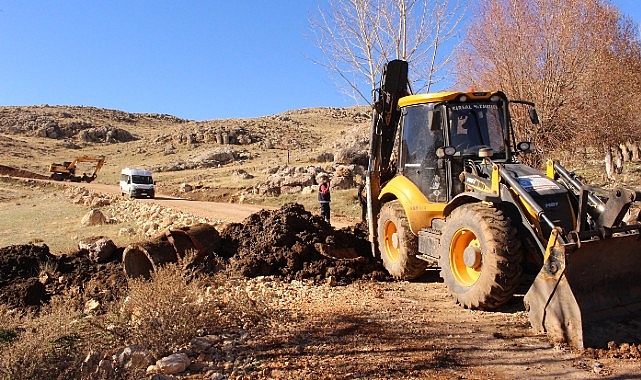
column 161, row 314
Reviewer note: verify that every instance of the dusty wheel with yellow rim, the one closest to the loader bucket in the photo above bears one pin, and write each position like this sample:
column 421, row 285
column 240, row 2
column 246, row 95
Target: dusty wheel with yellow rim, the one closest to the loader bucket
column 480, row 256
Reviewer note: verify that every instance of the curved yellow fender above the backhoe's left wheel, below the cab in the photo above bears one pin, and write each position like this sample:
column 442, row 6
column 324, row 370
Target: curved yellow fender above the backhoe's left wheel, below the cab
column 418, row 209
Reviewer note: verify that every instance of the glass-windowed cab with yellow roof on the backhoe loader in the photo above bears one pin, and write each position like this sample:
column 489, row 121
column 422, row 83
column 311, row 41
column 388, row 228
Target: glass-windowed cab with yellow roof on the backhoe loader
column 441, row 133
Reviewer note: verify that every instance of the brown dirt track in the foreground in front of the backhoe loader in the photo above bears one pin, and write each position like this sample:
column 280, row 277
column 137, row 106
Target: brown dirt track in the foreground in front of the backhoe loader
column 413, row 330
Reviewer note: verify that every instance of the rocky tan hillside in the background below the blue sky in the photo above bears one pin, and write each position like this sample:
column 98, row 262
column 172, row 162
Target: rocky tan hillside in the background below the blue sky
column 242, row 156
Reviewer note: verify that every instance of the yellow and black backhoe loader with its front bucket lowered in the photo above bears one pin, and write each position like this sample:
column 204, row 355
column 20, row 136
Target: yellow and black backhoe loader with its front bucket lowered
column 445, row 187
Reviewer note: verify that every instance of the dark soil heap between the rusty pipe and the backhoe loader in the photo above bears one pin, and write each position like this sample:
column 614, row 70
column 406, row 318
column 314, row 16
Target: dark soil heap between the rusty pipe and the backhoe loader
column 285, row 243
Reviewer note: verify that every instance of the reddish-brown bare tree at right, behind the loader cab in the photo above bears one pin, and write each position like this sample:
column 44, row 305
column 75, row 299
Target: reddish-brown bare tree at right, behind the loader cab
column 578, row 60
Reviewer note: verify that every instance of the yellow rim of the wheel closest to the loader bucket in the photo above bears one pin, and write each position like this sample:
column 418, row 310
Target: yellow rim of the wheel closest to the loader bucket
column 463, row 274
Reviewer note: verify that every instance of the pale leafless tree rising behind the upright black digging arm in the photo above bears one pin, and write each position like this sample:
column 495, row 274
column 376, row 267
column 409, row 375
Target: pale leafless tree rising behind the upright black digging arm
column 357, row 37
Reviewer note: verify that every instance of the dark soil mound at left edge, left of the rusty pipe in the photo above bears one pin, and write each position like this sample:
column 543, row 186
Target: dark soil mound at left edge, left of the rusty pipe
column 30, row 275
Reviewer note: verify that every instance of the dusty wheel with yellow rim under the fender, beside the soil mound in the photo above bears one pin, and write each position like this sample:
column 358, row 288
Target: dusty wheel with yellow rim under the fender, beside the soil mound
column 397, row 244
